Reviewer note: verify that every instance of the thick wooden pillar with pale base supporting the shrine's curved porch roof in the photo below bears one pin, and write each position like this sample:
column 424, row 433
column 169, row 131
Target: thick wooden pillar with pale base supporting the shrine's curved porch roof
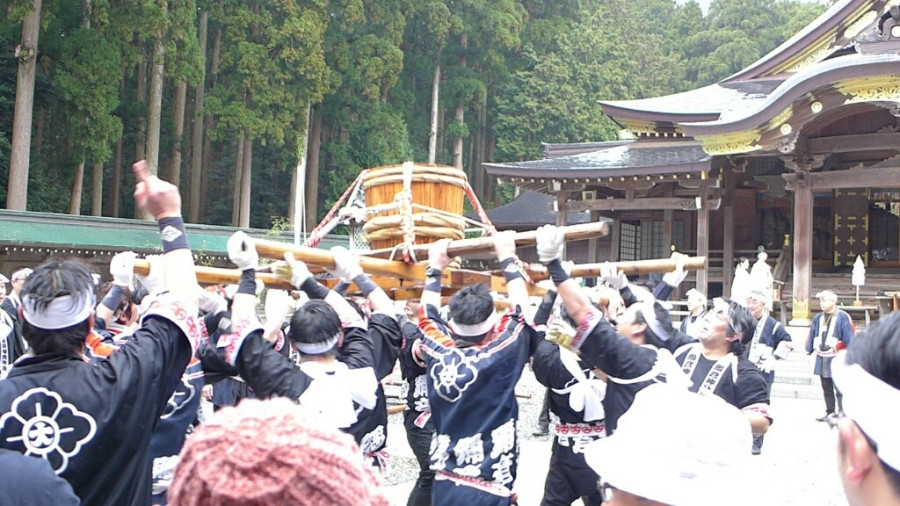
column 803, row 211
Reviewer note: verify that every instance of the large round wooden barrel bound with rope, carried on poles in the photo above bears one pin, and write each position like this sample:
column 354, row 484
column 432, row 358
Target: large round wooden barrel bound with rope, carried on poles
column 439, row 187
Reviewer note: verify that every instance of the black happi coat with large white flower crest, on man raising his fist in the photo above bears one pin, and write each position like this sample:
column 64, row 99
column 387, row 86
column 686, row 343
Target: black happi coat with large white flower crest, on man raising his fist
column 92, row 422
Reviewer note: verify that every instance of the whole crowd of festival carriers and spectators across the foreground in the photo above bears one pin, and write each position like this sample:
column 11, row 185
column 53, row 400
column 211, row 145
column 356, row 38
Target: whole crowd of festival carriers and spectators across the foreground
column 102, row 383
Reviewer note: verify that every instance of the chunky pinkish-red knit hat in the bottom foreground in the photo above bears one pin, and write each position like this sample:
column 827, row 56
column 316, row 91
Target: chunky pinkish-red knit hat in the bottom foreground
column 272, row 452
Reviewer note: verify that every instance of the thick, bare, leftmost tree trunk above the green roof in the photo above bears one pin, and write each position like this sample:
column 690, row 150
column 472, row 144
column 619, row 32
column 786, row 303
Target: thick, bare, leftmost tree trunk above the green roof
column 20, row 152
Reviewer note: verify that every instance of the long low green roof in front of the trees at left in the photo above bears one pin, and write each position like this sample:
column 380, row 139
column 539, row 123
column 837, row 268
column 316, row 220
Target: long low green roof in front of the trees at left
column 66, row 231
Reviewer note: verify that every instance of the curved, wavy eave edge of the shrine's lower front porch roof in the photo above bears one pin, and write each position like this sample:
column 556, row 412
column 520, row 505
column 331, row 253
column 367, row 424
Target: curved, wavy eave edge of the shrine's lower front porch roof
column 822, row 76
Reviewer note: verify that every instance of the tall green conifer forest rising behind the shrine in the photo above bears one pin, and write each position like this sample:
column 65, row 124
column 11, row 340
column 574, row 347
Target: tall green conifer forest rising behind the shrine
column 223, row 95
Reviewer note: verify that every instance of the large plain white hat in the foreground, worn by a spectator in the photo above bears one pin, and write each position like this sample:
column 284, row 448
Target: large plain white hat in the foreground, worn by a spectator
column 677, row 447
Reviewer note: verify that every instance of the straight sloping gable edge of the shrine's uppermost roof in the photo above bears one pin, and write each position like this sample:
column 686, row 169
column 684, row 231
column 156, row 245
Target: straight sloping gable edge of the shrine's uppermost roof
column 813, row 35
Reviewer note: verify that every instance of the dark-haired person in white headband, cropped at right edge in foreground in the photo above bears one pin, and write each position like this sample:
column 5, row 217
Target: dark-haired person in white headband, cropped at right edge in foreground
column 868, row 376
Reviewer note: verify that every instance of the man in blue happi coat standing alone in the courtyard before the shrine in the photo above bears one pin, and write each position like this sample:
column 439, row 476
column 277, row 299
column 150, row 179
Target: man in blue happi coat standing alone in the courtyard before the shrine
column 831, row 330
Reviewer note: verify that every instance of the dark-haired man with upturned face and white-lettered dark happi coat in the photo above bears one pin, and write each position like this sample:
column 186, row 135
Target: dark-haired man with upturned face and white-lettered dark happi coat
column 715, row 365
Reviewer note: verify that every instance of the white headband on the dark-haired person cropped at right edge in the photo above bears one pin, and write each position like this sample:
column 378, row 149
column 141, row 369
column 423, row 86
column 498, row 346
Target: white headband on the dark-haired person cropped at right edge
column 873, row 405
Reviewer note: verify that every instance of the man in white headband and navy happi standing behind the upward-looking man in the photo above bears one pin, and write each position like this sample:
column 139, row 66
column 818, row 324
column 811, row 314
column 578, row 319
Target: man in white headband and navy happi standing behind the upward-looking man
column 770, row 342
